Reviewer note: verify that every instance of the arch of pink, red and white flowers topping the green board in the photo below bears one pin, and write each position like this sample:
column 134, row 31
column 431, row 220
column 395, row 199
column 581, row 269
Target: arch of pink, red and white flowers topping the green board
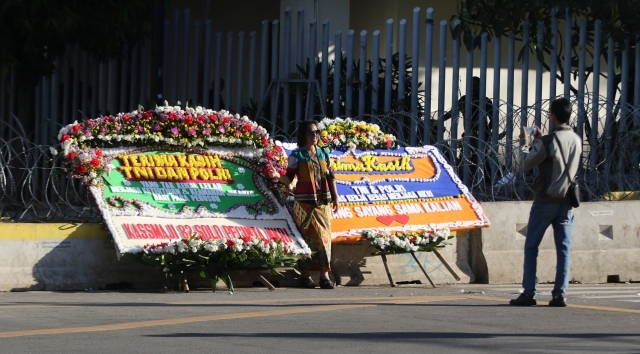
column 166, row 125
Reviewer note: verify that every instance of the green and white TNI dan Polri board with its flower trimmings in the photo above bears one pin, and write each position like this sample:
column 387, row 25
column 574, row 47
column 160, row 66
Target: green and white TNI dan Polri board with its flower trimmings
column 183, row 189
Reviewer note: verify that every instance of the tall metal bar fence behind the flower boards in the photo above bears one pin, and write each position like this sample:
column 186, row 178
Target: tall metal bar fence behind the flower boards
column 249, row 73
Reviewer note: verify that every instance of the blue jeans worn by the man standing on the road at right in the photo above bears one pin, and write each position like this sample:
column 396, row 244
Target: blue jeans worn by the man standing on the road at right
column 560, row 216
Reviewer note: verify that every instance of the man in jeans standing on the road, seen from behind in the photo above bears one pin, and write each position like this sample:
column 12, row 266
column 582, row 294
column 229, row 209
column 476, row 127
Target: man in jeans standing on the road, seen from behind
column 557, row 156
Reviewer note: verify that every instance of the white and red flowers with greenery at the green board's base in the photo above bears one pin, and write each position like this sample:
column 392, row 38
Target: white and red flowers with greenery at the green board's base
column 214, row 258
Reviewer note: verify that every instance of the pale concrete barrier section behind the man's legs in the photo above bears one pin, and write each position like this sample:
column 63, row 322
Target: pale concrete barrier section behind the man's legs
column 605, row 242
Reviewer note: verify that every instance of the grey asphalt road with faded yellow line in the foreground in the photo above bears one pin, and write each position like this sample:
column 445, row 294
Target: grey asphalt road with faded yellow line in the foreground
column 467, row 318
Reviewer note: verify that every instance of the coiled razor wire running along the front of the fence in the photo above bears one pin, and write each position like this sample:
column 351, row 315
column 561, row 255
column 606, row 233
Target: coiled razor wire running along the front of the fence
column 33, row 188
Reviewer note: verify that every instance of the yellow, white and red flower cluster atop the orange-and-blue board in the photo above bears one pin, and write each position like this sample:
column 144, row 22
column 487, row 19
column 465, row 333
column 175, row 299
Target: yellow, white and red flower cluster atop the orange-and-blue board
column 348, row 134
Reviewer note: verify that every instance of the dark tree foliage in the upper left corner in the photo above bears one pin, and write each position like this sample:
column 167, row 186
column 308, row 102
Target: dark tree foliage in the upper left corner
column 34, row 33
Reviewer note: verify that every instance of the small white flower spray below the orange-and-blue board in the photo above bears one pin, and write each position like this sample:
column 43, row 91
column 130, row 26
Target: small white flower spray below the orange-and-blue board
column 413, row 241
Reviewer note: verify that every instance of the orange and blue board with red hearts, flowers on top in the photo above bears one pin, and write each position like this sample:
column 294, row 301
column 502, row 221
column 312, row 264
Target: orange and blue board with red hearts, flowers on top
column 389, row 190
